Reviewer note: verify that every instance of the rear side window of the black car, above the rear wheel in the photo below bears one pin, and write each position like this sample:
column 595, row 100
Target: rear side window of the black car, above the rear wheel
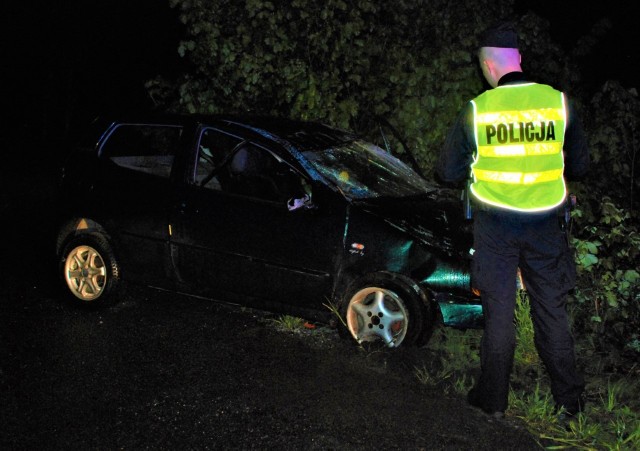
column 145, row 148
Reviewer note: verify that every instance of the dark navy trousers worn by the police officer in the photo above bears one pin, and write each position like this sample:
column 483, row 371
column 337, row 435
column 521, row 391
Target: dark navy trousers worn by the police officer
column 504, row 242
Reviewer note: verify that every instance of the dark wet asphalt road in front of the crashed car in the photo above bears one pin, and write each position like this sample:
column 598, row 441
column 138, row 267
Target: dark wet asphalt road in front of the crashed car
column 163, row 371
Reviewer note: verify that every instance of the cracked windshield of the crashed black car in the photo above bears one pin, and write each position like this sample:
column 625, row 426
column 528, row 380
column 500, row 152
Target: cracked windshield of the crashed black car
column 362, row 170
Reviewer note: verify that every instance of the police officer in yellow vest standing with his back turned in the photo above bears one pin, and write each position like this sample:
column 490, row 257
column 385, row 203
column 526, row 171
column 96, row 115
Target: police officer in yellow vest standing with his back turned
column 518, row 141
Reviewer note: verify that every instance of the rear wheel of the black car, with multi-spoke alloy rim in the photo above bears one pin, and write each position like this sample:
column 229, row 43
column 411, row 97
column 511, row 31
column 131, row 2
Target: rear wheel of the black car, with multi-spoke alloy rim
column 90, row 272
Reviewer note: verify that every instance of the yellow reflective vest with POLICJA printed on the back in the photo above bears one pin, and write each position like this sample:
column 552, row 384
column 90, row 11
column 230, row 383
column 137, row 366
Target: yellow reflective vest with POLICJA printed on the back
column 519, row 133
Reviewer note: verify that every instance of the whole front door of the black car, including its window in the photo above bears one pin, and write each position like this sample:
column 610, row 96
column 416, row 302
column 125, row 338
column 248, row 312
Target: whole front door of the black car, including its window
column 232, row 233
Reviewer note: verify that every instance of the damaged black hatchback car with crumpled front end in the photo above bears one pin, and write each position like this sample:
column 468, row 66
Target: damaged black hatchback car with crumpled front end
column 285, row 216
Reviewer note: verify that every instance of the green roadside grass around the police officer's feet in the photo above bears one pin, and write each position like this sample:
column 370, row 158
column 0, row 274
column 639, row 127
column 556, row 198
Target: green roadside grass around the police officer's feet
column 611, row 420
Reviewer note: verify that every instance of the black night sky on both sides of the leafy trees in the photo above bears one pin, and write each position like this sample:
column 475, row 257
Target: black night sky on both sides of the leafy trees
column 70, row 61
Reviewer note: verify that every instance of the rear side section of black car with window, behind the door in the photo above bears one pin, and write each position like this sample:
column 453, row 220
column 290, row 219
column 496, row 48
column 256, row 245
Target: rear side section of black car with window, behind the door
column 133, row 194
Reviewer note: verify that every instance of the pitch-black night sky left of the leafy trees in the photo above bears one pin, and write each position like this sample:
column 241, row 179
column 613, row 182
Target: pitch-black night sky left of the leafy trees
column 71, row 61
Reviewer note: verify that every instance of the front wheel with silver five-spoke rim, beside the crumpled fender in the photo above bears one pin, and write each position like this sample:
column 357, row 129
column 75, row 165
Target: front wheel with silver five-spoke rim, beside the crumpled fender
column 385, row 310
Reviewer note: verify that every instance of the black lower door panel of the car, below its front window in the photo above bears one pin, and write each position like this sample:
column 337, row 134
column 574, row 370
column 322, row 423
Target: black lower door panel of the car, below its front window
column 274, row 252
